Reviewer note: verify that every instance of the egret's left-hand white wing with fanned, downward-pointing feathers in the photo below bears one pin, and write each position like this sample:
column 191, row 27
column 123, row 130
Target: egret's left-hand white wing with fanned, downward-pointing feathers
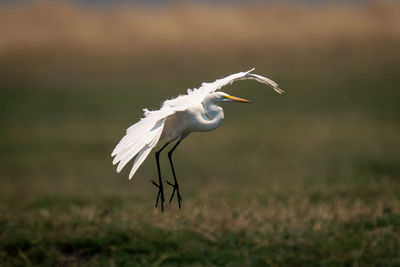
column 140, row 139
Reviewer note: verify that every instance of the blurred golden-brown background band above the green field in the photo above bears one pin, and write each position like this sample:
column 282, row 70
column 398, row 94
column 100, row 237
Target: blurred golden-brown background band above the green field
column 65, row 39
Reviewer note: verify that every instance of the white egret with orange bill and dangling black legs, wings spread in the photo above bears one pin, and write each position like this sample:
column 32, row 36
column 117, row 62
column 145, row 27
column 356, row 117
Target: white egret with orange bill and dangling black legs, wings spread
column 196, row 111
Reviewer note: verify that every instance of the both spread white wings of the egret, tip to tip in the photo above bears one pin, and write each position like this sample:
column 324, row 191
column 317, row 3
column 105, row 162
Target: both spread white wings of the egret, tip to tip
column 144, row 135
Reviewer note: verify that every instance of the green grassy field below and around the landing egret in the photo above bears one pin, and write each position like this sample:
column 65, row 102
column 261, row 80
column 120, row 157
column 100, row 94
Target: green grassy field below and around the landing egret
column 311, row 177
